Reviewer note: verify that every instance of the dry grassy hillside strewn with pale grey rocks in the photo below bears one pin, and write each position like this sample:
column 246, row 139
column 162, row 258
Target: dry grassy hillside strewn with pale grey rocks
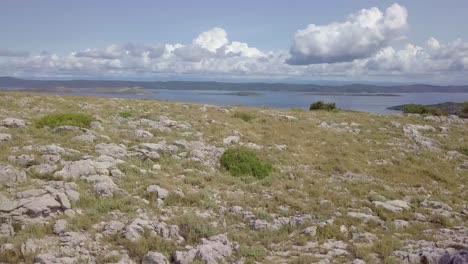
column 144, row 184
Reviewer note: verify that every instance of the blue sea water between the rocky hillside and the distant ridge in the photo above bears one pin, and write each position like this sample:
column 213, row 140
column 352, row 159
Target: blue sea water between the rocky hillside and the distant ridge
column 286, row 100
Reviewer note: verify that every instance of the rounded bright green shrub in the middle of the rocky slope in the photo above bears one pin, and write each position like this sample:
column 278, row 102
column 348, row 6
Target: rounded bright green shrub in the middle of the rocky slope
column 244, row 162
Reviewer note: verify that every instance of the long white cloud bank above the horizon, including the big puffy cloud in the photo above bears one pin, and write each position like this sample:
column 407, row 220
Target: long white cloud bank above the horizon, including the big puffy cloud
column 358, row 48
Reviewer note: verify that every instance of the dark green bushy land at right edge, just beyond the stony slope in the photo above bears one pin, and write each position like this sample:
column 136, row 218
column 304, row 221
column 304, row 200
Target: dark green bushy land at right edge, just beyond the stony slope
column 448, row 108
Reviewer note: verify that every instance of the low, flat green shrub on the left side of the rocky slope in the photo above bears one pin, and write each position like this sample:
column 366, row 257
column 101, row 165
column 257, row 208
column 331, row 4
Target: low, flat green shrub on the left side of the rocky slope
column 65, row 119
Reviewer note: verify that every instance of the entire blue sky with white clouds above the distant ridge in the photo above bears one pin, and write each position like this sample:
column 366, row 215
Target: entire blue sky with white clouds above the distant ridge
column 369, row 41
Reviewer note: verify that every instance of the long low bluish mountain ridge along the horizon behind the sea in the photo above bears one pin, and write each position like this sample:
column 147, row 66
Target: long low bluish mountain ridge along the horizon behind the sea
column 10, row 82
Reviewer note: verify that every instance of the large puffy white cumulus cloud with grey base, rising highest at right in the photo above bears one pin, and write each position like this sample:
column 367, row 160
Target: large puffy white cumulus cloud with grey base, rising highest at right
column 360, row 36
